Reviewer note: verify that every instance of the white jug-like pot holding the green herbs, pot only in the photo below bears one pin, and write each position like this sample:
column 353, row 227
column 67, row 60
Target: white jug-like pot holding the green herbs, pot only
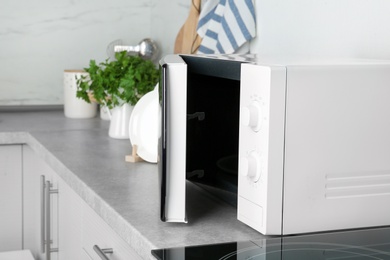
column 119, row 124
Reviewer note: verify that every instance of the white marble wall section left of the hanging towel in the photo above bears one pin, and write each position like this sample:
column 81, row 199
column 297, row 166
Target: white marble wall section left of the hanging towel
column 41, row 38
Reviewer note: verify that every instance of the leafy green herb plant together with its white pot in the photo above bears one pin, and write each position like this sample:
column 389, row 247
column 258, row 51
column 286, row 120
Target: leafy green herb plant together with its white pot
column 118, row 84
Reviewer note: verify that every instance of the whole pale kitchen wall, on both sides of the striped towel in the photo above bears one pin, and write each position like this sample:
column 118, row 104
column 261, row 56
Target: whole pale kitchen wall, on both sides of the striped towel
column 41, row 38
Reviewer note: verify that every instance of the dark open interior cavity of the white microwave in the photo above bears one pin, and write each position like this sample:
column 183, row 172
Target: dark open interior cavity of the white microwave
column 213, row 96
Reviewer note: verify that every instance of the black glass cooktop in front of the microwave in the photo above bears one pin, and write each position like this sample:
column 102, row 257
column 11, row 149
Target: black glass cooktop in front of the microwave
column 348, row 245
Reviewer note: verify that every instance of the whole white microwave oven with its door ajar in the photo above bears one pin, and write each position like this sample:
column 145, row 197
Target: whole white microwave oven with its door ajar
column 301, row 146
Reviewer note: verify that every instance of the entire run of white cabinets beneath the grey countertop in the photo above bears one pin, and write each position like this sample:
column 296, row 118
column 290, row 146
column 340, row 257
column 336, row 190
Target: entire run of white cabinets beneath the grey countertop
column 75, row 228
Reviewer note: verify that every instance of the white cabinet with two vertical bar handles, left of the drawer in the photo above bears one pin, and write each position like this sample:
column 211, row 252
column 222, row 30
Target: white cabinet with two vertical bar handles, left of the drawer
column 65, row 212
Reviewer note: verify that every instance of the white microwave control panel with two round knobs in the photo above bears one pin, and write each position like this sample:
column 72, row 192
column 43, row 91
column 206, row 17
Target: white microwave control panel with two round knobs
column 261, row 141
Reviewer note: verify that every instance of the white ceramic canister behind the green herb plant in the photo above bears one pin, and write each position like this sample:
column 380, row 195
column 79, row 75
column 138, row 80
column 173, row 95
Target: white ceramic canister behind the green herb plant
column 73, row 106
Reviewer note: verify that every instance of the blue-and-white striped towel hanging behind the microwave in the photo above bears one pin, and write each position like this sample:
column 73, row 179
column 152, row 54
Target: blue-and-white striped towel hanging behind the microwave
column 225, row 25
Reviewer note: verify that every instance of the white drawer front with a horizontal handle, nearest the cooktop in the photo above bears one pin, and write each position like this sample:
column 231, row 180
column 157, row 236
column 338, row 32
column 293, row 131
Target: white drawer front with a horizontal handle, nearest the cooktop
column 97, row 232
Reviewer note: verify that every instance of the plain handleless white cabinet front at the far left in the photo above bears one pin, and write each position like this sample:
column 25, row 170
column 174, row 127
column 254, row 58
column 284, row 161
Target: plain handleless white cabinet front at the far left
column 10, row 197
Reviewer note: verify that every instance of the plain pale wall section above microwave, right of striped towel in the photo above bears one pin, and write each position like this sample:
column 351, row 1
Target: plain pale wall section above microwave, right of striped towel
column 323, row 28
